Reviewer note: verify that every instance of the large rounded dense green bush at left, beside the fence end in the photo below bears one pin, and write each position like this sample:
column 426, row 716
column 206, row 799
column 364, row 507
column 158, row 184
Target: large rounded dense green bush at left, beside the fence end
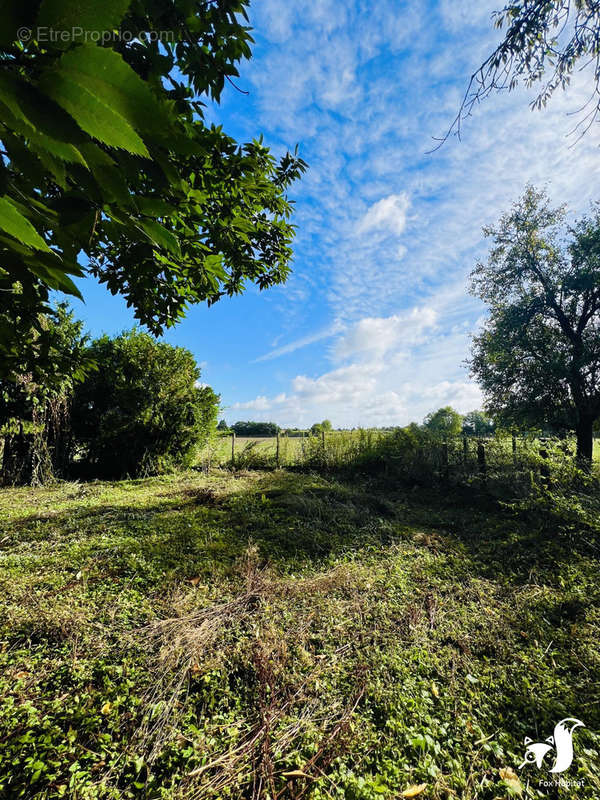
column 143, row 411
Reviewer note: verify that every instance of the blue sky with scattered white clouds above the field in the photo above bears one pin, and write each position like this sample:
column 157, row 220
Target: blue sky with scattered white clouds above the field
column 373, row 326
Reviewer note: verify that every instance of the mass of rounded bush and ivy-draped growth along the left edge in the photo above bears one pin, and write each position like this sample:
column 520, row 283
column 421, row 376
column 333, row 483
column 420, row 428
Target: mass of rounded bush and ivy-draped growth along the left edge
column 126, row 406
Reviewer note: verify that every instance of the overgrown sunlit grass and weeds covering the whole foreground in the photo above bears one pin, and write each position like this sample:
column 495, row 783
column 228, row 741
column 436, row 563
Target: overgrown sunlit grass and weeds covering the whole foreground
column 276, row 634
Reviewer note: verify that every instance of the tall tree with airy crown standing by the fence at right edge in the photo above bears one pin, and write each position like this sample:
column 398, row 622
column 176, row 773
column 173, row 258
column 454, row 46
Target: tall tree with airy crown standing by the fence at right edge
column 537, row 357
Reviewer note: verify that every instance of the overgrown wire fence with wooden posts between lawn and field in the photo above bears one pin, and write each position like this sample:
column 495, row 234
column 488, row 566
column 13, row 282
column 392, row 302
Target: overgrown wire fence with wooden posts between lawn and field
column 498, row 462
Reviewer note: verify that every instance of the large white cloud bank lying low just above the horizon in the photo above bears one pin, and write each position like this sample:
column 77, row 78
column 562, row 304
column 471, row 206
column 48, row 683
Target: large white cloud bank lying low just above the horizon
column 386, row 371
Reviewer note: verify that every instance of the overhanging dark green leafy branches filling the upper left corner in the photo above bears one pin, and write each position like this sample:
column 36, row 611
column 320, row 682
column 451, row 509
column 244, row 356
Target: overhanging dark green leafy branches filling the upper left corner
column 108, row 167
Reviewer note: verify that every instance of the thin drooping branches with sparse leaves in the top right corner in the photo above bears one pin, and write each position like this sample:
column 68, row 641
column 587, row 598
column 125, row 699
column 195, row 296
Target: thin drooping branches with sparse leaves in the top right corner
column 544, row 42
